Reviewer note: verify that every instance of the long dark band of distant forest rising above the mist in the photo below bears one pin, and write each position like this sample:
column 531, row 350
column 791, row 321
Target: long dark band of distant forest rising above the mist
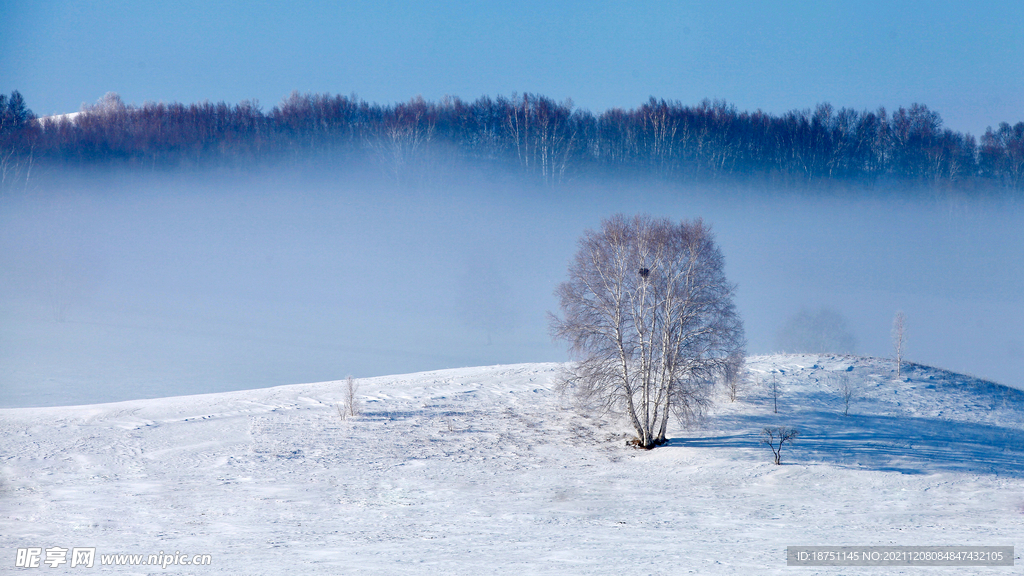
column 534, row 135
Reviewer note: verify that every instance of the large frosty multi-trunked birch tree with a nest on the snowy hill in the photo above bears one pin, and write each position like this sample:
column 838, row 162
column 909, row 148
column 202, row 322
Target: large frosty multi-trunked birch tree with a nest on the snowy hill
column 651, row 320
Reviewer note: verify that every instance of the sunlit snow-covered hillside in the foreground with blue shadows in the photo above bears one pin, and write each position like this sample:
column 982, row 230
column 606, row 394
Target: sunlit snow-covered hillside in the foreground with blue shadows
column 487, row 471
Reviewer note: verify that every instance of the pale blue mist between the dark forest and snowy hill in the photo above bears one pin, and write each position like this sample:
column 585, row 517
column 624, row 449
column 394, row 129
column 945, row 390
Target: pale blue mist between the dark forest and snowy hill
column 118, row 287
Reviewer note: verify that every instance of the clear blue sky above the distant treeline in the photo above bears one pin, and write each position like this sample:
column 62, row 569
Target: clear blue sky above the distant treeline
column 962, row 59
